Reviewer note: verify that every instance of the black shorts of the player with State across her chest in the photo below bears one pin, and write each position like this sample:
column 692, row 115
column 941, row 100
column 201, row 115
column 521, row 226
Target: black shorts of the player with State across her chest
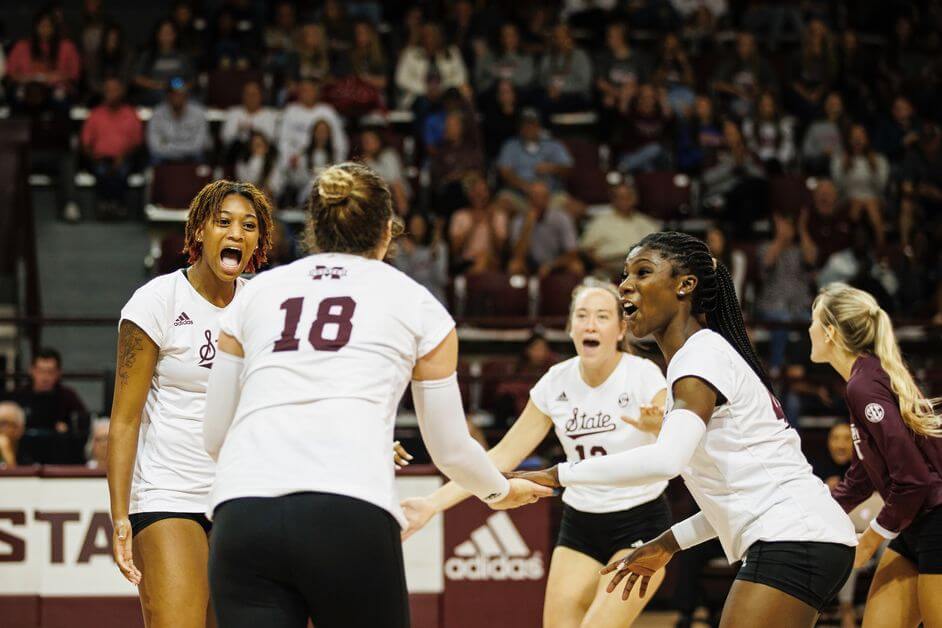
column 600, row 535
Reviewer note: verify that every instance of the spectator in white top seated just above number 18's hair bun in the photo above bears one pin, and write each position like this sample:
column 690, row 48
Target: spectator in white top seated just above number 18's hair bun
column 299, row 119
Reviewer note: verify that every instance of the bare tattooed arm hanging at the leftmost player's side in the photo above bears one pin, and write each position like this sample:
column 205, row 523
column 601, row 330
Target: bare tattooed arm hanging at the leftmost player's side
column 136, row 360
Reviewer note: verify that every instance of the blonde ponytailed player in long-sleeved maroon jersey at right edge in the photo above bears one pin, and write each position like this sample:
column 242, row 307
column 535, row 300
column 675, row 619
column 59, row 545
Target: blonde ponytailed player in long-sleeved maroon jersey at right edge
column 897, row 452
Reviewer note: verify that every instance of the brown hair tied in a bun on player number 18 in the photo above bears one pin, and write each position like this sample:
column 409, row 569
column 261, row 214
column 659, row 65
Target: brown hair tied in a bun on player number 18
column 350, row 206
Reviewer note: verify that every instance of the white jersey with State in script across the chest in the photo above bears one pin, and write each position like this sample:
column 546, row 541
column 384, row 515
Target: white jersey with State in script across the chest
column 588, row 423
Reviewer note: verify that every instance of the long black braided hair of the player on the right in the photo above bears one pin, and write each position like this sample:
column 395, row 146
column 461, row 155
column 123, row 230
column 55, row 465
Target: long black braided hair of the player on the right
column 715, row 294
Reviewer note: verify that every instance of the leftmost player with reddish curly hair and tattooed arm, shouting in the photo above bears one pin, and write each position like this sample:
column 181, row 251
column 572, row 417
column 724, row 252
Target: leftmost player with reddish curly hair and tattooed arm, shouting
column 159, row 475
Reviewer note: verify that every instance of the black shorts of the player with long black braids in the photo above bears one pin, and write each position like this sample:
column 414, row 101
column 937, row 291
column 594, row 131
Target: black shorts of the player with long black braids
column 810, row 571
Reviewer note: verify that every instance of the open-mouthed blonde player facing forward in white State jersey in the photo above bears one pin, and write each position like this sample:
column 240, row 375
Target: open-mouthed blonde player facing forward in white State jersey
column 585, row 398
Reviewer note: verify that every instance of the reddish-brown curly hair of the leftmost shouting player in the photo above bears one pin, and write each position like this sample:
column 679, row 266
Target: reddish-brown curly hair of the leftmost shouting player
column 207, row 203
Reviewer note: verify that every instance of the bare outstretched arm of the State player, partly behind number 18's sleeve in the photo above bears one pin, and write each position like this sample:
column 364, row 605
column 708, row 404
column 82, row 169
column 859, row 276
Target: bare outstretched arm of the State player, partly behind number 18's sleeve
column 527, row 432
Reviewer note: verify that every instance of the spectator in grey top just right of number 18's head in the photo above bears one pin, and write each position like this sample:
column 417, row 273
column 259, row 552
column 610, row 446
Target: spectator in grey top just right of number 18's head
column 423, row 255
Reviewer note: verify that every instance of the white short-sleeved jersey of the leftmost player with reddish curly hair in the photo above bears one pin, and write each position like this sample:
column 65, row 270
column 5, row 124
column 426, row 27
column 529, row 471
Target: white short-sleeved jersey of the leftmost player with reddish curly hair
column 172, row 471
